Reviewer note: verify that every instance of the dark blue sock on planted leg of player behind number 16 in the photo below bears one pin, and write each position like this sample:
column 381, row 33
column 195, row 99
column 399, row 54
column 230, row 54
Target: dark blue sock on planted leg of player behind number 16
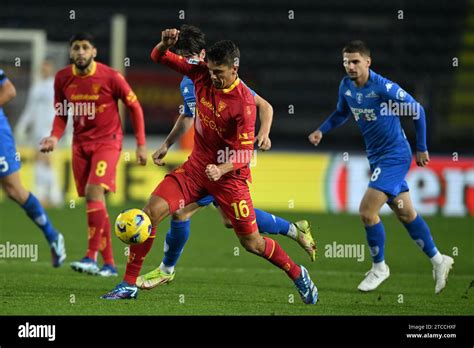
column 176, row 237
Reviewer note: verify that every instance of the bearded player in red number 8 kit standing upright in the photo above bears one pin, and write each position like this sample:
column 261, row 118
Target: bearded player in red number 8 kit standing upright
column 90, row 91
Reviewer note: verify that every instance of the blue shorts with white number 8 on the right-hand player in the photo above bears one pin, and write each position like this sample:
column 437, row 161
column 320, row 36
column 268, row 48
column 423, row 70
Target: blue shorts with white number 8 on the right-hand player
column 388, row 175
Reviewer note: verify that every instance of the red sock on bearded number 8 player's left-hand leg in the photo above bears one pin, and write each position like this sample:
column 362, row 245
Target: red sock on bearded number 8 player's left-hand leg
column 96, row 216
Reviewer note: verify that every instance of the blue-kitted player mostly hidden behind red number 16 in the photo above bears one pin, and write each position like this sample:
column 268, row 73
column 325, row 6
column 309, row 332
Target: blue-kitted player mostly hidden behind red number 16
column 191, row 45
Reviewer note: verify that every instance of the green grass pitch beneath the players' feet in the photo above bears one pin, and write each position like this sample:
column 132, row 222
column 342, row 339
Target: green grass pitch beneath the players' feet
column 212, row 280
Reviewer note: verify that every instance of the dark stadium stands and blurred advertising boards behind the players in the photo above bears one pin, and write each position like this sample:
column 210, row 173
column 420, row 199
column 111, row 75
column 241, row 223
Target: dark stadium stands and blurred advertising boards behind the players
column 291, row 56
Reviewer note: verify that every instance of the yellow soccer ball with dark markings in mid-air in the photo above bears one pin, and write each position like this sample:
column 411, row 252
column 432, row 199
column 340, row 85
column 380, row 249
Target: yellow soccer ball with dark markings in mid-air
column 133, row 226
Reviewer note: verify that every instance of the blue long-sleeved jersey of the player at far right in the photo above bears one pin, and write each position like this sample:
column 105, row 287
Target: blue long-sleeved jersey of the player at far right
column 376, row 108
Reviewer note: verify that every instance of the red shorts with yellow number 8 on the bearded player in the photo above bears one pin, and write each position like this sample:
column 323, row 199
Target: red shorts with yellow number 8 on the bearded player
column 95, row 163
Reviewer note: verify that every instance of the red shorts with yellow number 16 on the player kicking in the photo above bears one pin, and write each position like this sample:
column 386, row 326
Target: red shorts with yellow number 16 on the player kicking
column 186, row 185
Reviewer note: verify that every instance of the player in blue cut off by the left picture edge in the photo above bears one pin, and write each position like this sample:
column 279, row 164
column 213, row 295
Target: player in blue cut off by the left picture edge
column 11, row 183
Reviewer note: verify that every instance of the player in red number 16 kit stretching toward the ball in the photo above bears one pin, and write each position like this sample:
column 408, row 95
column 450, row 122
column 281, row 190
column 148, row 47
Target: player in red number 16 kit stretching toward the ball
column 225, row 120
